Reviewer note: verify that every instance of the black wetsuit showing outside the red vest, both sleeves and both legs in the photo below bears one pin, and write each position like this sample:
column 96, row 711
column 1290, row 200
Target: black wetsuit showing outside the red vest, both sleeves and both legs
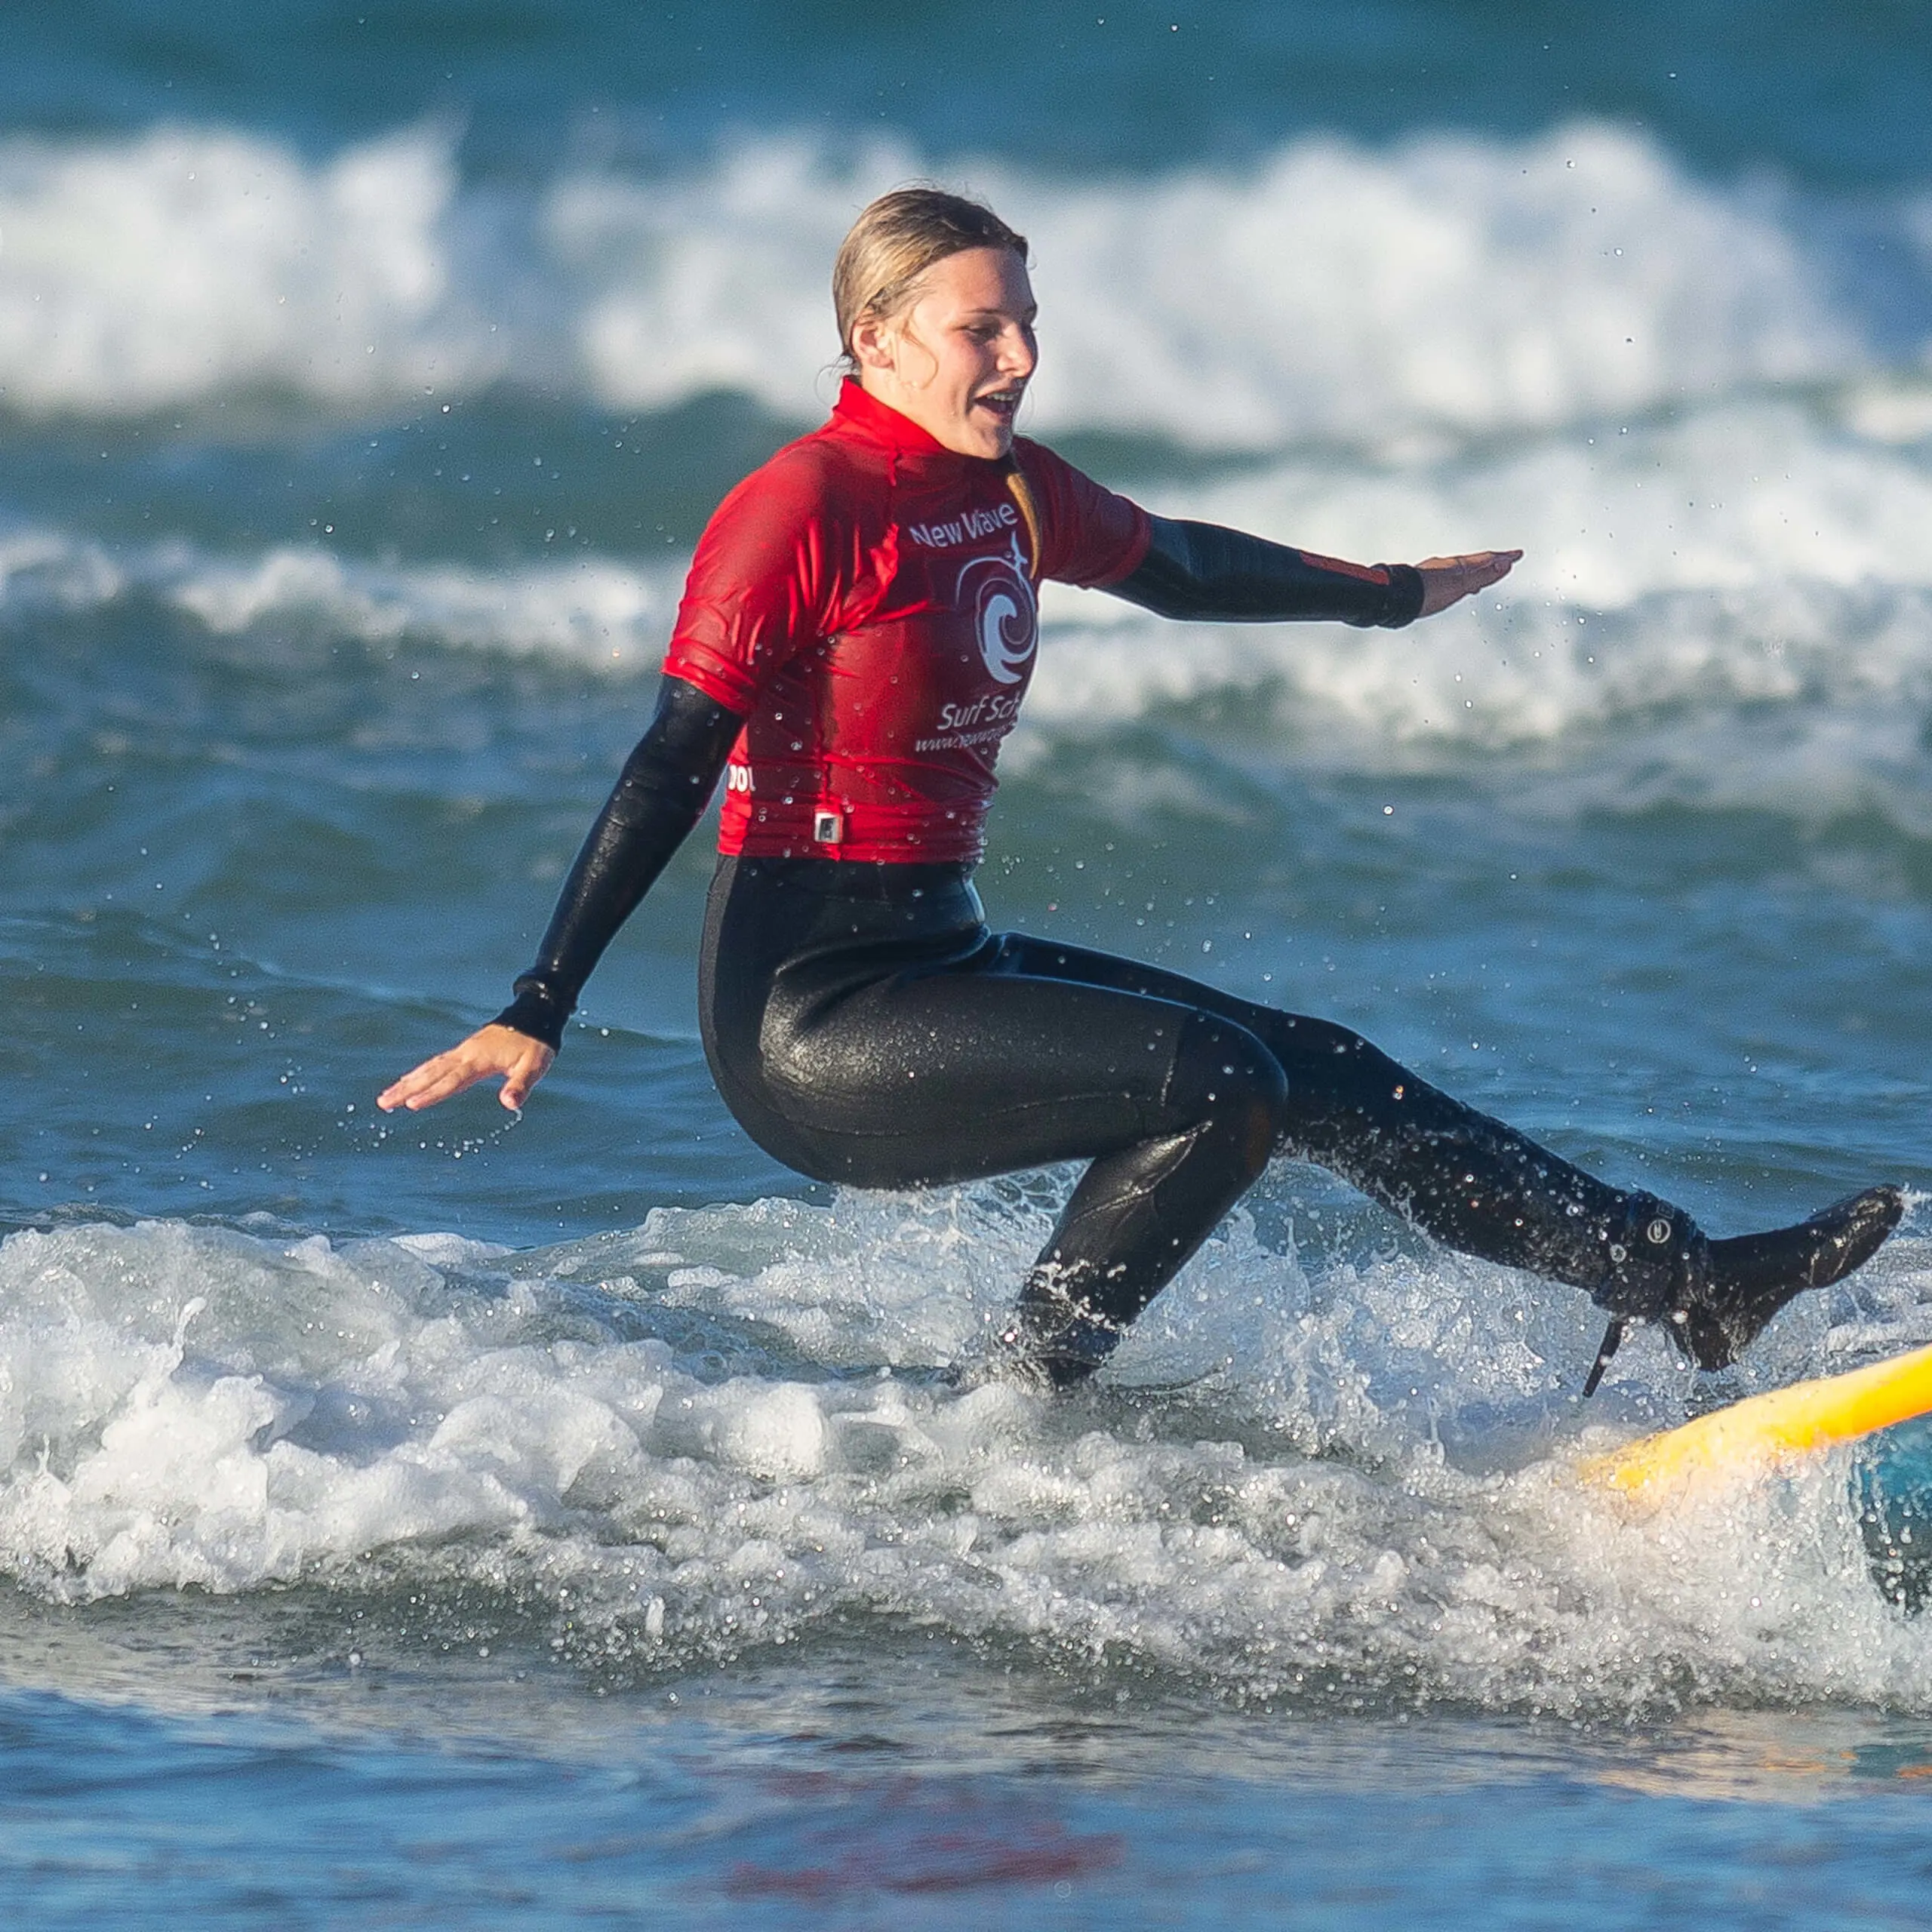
column 865, row 1027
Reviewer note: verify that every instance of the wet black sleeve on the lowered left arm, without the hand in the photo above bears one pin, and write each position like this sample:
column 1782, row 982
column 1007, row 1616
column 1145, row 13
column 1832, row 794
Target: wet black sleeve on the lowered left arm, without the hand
column 660, row 797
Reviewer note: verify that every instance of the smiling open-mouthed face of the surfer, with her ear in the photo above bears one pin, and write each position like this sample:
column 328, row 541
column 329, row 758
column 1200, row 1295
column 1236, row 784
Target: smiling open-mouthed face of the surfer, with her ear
column 959, row 356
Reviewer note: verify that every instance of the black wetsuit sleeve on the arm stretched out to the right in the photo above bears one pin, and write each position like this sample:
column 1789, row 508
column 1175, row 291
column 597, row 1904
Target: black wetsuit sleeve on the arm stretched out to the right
column 1214, row 575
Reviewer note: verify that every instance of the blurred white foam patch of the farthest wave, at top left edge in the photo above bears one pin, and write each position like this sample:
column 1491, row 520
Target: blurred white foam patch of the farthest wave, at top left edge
column 196, row 262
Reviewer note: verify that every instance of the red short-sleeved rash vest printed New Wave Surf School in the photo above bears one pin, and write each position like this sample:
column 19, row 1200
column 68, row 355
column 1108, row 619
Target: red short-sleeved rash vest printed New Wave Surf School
column 867, row 602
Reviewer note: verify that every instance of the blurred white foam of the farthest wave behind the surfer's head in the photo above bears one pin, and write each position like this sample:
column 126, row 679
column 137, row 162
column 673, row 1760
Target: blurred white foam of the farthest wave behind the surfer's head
column 1330, row 291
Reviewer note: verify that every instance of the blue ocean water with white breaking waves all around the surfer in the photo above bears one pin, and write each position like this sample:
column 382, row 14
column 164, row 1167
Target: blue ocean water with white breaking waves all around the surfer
column 497, row 1523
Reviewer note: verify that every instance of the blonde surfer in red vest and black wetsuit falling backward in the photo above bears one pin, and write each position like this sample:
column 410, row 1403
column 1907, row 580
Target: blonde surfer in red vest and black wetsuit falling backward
column 855, row 642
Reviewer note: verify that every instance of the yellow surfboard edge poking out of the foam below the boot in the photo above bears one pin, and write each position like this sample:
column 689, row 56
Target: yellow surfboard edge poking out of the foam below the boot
column 1767, row 1433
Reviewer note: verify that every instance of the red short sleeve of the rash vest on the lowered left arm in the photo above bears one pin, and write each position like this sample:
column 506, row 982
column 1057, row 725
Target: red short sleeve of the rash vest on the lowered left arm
column 768, row 579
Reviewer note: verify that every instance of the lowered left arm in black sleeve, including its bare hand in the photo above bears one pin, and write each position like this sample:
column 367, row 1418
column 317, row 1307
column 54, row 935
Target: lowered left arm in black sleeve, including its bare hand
column 660, row 797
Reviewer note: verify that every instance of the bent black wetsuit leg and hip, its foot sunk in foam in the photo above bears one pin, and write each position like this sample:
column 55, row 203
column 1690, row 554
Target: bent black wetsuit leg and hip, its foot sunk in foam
column 884, row 1056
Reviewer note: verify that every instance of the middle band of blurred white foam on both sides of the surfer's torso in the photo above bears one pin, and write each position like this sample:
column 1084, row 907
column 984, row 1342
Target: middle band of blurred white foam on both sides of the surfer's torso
column 1730, row 606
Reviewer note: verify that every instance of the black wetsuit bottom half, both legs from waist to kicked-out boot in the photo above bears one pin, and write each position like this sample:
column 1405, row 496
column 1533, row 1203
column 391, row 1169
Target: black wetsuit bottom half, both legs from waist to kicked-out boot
column 865, row 1027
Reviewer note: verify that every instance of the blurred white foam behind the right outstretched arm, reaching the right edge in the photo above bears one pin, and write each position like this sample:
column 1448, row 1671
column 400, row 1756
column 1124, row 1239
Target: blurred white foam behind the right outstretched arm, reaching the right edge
column 1744, row 594
